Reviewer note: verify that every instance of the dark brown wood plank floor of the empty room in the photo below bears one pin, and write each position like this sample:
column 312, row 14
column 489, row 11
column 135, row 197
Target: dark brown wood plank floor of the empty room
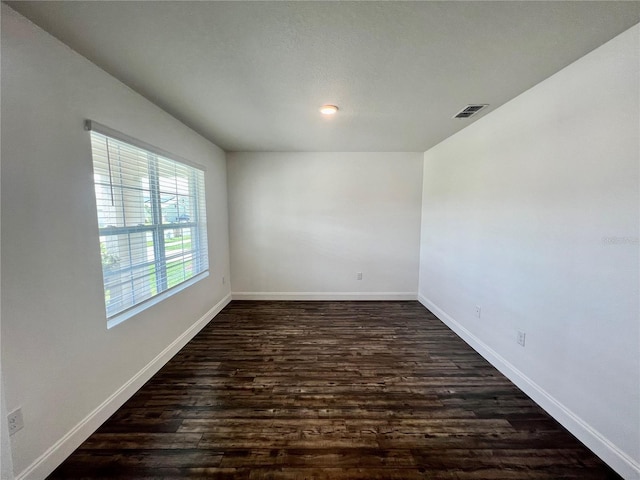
column 330, row 390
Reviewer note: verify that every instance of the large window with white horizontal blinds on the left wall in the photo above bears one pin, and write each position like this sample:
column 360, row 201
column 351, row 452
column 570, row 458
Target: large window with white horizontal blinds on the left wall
column 151, row 219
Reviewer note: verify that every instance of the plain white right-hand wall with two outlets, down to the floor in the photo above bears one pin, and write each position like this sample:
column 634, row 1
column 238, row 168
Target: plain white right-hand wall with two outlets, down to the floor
column 532, row 213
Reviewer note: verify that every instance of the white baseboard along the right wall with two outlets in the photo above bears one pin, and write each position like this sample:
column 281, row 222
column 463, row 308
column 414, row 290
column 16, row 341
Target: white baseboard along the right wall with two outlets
column 622, row 463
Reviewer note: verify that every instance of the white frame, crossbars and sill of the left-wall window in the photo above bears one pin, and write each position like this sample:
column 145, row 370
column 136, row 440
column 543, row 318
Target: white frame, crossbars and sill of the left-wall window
column 156, row 228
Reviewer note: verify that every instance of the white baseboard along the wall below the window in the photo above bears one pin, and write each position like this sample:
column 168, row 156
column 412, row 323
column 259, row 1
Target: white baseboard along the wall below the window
column 56, row 454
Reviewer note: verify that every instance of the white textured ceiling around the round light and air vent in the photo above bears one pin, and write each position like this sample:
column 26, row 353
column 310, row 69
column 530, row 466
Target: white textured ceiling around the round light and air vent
column 252, row 75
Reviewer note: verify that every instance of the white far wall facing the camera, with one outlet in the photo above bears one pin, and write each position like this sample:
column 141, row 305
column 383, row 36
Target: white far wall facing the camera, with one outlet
column 303, row 224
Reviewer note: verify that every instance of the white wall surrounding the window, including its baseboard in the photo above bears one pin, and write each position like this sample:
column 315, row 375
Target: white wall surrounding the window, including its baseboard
column 59, row 361
